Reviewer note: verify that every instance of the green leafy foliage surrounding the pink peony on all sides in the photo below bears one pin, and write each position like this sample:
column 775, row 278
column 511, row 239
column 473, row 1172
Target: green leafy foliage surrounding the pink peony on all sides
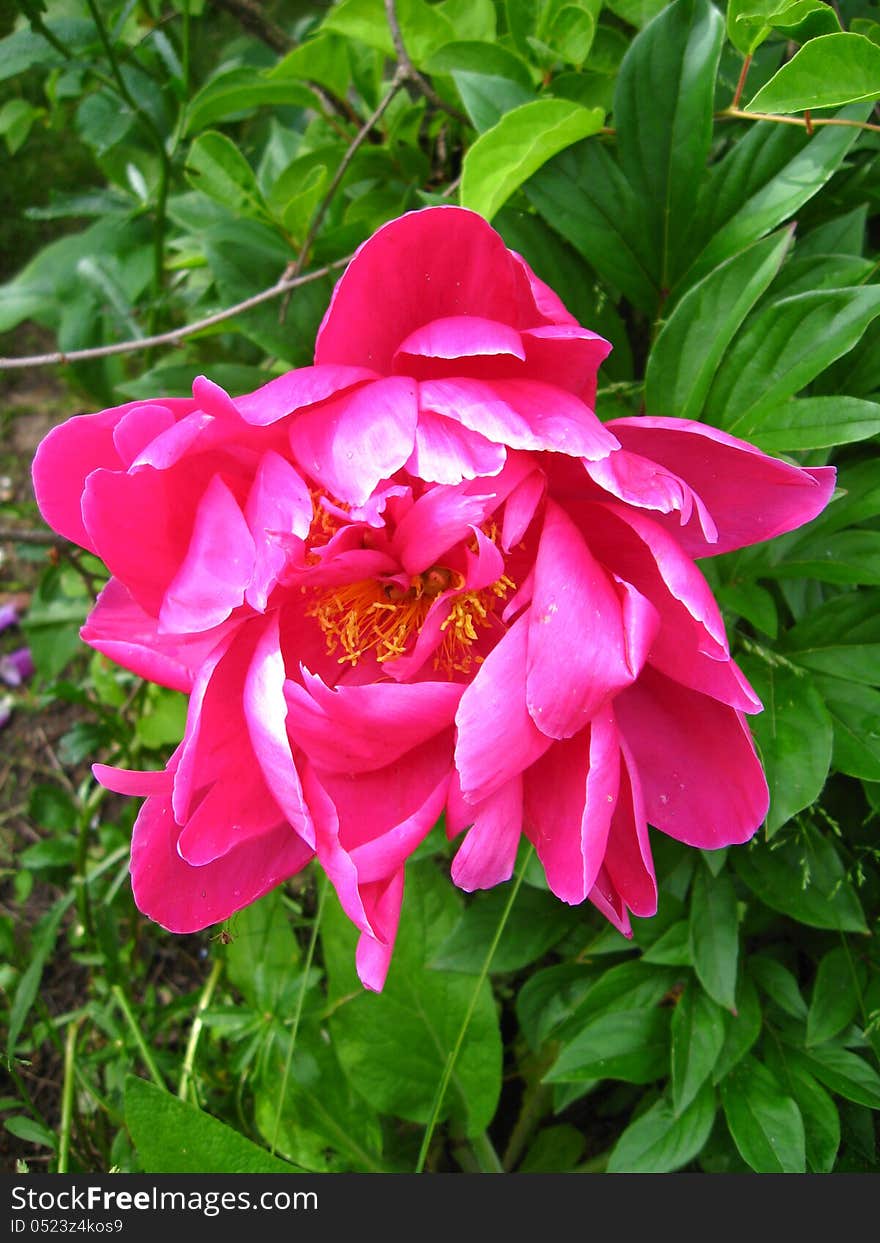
column 734, row 264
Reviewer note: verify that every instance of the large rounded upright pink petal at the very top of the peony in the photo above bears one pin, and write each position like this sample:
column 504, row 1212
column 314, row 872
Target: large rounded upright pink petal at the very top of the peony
column 427, row 265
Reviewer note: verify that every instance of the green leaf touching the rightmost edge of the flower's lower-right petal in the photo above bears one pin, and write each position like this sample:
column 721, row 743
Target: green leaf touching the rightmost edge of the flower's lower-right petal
column 795, row 738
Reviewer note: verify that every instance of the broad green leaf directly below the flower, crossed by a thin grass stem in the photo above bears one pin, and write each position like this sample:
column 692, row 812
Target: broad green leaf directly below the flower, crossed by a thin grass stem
column 395, row 1045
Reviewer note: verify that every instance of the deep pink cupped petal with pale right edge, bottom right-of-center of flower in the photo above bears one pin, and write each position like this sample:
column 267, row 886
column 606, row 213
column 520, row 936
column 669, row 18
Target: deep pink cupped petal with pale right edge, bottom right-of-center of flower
column 570, row 799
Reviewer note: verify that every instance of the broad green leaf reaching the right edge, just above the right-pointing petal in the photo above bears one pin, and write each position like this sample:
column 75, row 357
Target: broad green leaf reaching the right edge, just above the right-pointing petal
column 782, row 347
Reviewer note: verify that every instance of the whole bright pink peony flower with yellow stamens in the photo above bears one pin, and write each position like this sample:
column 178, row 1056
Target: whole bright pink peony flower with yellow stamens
column 417, row 576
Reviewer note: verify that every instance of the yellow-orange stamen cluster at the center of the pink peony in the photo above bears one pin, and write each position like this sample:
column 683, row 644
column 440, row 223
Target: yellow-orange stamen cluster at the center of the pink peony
column 385, row 618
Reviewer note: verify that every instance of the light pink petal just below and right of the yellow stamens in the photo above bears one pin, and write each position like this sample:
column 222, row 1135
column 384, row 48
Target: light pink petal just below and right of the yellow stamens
column 498, row 738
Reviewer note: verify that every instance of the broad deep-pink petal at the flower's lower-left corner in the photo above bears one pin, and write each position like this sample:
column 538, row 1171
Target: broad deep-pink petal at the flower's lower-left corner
column 185, row 899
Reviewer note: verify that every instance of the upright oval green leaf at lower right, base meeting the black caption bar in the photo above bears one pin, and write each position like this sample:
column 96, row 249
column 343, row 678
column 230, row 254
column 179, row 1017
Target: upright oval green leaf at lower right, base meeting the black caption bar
column 765, row 1123
